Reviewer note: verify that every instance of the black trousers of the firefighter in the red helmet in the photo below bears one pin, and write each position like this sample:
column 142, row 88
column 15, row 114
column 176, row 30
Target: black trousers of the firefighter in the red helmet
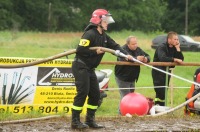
column 86, row 84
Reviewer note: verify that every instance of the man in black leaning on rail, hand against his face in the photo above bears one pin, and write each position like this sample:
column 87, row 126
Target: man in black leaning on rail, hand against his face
column 166, row 52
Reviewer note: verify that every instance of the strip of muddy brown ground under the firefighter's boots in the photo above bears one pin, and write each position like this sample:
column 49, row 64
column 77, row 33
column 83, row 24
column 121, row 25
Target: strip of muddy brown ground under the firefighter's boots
column 118, row 124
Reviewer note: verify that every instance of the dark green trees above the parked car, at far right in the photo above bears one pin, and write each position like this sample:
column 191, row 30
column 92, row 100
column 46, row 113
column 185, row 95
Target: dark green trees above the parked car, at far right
column 174, row 17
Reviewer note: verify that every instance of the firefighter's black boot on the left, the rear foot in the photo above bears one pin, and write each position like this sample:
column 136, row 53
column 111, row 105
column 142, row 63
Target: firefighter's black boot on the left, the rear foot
column 76, row 123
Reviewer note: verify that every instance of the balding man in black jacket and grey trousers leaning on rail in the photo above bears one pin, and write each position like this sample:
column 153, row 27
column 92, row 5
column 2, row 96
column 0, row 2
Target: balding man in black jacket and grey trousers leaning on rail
column 126, row 75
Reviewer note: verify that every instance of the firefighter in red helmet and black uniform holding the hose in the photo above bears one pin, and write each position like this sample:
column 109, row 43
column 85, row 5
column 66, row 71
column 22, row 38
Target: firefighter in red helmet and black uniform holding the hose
column 84, row 64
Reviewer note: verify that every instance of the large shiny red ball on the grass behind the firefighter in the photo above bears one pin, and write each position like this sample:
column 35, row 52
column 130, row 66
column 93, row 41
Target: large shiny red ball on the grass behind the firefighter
column 134, row 104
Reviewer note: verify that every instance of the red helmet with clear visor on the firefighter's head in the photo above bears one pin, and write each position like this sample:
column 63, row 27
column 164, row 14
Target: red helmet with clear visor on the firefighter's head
column 101, row 14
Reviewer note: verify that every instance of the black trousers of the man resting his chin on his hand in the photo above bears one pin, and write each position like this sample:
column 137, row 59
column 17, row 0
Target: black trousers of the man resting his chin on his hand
column 159, row 79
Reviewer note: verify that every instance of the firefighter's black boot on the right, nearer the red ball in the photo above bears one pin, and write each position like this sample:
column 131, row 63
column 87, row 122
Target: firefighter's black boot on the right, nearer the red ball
column 90, row 120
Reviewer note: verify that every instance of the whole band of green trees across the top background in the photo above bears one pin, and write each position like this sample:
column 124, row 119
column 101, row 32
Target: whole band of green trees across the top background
column 74, row 15
